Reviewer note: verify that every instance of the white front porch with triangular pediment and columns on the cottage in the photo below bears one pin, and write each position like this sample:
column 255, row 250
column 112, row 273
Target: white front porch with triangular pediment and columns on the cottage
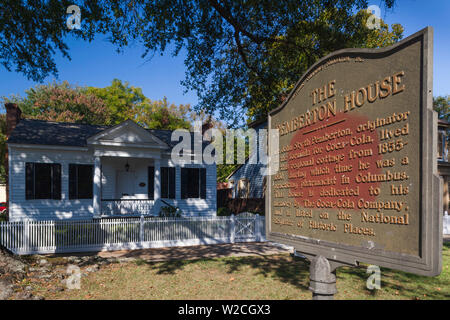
column 127, row 171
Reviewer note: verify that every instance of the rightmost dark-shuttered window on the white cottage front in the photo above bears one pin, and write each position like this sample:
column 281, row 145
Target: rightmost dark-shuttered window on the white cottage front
column 193, row 183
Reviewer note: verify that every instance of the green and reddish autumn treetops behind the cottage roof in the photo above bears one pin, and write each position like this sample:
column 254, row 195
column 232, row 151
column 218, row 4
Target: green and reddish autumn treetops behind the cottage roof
column 111, row 105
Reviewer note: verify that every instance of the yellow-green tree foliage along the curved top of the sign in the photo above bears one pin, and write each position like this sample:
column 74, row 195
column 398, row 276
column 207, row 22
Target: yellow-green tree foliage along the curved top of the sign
column 284, row 66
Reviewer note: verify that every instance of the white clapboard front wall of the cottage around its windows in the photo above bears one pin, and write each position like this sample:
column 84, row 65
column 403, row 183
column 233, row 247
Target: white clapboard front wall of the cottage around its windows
column 66, row 209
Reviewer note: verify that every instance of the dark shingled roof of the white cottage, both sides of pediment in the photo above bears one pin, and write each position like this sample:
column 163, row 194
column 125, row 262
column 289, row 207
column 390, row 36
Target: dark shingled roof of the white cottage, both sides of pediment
column 40, row 132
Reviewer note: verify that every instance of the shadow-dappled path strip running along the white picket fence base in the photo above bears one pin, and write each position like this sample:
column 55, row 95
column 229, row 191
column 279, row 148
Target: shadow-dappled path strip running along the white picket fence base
column 199, row 252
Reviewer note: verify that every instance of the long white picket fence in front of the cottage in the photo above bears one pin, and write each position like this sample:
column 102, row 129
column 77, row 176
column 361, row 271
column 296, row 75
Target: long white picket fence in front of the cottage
column 40, row 237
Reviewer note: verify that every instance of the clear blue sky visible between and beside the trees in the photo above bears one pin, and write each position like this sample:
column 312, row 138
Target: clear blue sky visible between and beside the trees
column 97, row 63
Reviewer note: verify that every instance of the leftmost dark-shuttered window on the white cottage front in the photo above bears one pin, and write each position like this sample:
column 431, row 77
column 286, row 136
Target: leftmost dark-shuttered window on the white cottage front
column 42, row 181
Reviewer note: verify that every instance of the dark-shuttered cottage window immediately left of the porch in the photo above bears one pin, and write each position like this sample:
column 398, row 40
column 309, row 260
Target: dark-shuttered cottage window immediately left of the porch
column 81, row 180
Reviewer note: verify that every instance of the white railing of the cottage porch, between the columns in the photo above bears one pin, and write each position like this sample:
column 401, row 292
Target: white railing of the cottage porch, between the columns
column 121, row 207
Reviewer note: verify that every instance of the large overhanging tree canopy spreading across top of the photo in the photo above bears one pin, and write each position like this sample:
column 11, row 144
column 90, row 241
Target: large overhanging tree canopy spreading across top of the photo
column 242, row 56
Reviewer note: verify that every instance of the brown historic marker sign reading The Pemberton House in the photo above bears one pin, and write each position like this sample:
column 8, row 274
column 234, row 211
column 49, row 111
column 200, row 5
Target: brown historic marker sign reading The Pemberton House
column 357, row 177
